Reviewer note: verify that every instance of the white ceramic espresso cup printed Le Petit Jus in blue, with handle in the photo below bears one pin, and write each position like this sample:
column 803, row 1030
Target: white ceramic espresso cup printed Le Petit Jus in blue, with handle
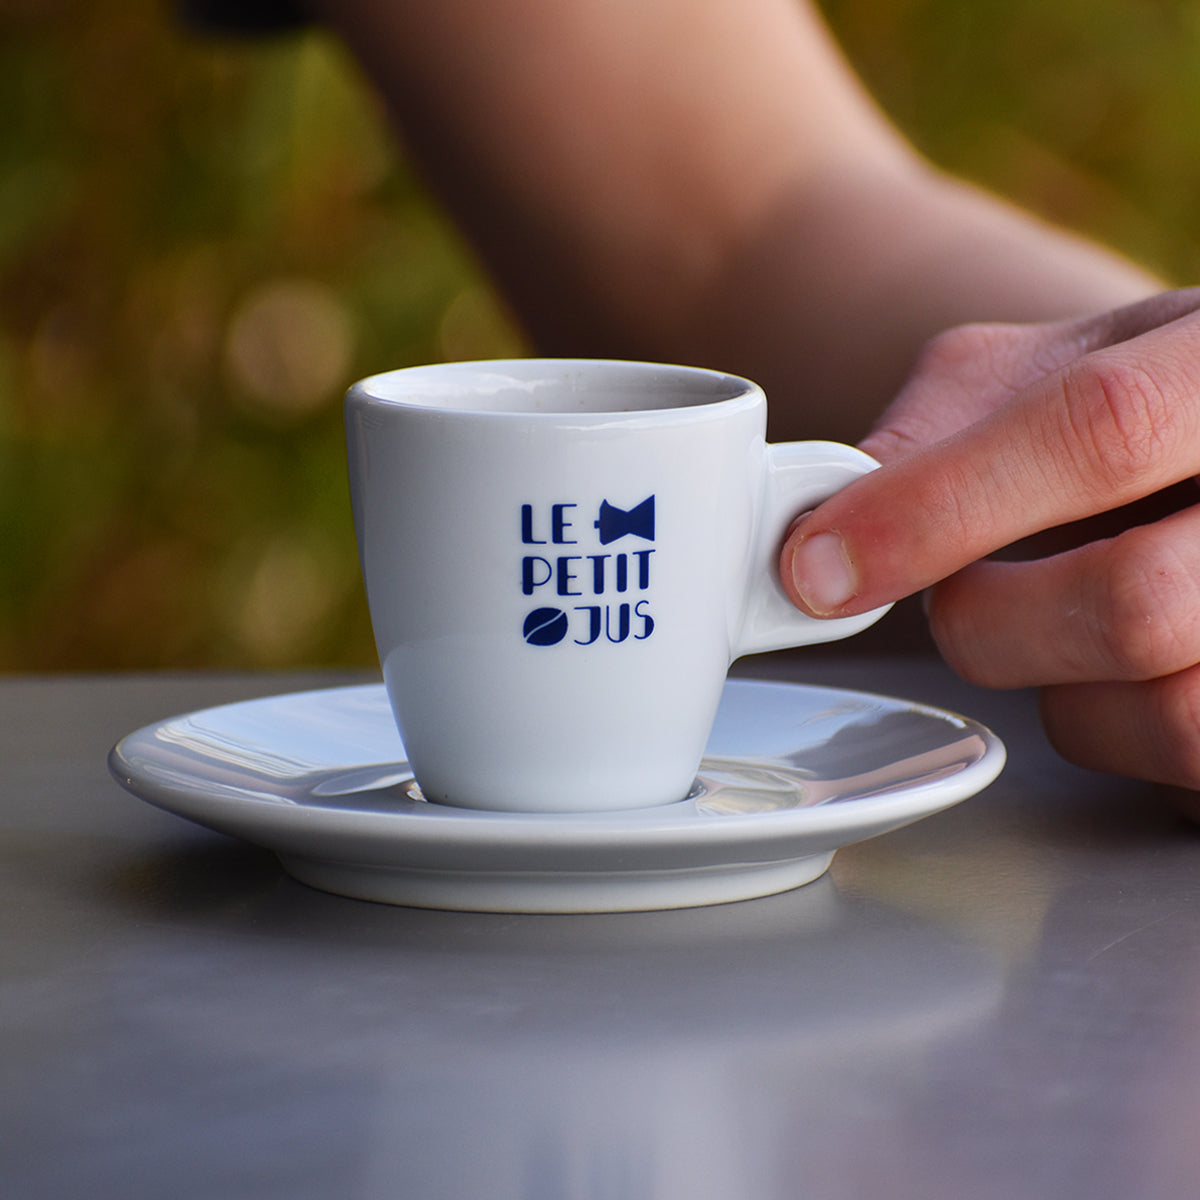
column 562, row 560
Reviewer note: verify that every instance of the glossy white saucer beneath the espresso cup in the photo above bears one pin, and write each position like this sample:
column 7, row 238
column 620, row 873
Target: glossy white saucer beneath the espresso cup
column 791, row 775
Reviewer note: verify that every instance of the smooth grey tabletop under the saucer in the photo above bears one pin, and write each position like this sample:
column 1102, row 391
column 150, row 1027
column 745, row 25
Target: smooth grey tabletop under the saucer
column 1001, row 1001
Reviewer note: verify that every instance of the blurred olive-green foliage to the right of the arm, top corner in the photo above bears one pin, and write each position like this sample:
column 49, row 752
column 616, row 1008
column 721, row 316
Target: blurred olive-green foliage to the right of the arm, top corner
column 1084, row 111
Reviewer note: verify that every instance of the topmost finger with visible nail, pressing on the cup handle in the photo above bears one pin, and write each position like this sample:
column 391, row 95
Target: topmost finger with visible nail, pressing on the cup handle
column 1112, row 428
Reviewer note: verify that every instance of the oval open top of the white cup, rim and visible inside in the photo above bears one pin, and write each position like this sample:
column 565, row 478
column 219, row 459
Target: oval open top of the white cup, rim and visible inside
column 407, row 389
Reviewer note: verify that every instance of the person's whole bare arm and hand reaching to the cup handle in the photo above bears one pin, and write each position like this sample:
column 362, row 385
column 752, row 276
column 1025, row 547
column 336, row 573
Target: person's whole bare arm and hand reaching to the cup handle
column 706, row 182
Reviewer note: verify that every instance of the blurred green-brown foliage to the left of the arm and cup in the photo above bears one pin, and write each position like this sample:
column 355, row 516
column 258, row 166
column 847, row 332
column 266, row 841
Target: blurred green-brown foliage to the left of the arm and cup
column 201, row 245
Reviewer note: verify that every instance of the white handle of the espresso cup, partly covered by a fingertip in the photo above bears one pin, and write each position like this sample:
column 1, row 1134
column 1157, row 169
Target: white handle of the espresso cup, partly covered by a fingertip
column 799, row 476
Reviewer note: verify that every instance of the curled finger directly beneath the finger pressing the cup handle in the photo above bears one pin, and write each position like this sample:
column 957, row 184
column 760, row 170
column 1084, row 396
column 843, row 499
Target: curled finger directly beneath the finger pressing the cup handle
column 1125, row 609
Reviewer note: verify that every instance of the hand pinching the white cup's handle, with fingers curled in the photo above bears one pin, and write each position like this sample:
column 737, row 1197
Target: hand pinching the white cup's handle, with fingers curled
column 1005, row 433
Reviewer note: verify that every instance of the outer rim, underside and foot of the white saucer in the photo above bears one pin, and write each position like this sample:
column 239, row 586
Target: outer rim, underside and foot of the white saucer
column 455, row 845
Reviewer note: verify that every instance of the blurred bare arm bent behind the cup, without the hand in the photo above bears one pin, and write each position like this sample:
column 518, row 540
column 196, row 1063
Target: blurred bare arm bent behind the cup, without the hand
column 704, row 181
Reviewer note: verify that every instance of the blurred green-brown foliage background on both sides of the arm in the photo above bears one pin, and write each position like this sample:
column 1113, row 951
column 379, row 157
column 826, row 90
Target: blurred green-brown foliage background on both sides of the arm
column 202, row 243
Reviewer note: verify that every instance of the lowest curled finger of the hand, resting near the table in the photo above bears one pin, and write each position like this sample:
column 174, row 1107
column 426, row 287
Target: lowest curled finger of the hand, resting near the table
column 1147, row 730
